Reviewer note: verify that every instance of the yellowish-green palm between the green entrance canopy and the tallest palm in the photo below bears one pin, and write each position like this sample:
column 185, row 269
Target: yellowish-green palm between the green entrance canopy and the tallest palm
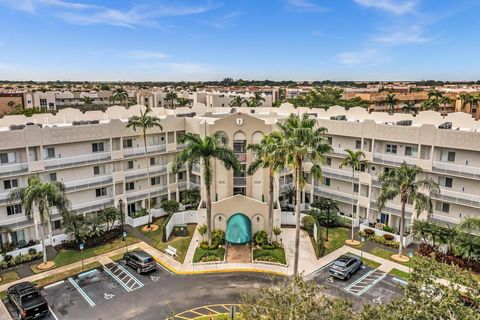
column 267, row 155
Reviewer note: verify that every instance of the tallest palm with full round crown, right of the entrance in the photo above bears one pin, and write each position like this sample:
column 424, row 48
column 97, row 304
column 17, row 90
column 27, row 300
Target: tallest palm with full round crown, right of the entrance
column 302, row 140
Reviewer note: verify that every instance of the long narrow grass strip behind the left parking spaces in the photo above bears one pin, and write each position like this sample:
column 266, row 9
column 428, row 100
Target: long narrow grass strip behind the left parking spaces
column 65, row 256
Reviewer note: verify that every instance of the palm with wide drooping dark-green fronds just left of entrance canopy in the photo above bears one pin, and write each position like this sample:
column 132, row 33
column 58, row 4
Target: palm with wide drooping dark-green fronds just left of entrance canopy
column 205, row 150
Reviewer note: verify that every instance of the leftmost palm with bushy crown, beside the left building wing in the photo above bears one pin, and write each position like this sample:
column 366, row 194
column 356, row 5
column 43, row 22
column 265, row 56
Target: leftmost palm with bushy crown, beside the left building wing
column 41, row 196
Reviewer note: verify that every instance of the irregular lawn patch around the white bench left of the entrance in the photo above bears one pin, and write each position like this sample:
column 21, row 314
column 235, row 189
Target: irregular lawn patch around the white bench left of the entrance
column 179, row 243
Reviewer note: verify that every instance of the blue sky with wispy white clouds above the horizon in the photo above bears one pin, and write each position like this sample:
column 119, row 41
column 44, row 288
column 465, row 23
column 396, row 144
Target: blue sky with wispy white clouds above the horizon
column 173, row 40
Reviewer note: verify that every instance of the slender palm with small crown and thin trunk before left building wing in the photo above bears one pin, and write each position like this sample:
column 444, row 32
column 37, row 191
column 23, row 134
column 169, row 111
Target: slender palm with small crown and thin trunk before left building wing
column 145, row 122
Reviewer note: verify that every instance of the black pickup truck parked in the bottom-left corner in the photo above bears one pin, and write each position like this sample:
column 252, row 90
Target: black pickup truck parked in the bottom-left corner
column 27, row 300
